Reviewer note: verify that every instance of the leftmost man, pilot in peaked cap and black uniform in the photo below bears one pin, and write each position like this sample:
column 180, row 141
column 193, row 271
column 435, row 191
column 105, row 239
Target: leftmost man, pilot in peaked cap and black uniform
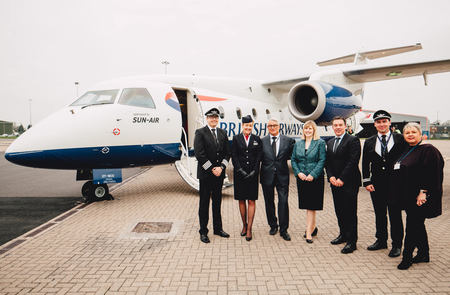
column 212, row 151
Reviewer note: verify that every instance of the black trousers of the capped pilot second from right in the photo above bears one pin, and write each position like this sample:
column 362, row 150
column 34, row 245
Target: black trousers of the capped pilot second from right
column 382, row 207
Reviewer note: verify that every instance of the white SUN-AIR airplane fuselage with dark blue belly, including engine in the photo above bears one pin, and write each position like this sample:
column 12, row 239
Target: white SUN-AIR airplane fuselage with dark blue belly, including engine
column 121, row 133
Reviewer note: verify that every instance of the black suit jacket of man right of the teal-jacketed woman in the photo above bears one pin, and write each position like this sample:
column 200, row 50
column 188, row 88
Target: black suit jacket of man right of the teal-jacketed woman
column 343, row 164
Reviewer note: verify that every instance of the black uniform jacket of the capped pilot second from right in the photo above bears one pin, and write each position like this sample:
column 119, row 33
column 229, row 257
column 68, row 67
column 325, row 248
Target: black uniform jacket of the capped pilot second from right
column 375, row 169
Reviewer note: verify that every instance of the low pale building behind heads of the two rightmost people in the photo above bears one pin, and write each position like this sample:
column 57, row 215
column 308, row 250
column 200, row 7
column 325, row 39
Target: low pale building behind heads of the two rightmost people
column 398, row 121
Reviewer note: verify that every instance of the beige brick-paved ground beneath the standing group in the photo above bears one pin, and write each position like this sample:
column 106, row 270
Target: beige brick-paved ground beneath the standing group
column 92, row 249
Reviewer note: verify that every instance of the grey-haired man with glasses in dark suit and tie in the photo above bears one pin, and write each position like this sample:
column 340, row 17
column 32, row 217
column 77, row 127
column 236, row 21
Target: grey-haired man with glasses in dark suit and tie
column 277, row 149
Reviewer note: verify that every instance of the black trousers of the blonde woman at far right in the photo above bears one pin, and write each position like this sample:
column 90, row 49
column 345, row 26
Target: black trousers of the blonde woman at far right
column 416, row 233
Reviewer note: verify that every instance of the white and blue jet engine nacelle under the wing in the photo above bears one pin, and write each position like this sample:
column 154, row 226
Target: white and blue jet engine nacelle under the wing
column 320, row 101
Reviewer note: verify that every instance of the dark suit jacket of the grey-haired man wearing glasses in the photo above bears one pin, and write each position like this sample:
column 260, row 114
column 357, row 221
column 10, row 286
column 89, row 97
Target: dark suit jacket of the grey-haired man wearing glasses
column 276, row 165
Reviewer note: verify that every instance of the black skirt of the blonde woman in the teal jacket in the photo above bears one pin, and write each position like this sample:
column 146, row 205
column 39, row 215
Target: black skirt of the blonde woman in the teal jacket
column 310, row 194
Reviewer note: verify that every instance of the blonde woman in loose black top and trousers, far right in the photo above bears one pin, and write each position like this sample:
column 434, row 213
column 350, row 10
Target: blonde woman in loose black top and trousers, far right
column 419, row 175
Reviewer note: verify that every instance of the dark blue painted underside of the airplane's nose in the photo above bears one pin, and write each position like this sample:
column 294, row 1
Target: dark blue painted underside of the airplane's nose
column 93, row 157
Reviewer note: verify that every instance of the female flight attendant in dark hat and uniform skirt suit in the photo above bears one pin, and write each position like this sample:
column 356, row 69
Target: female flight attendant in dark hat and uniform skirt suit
column 246, row 153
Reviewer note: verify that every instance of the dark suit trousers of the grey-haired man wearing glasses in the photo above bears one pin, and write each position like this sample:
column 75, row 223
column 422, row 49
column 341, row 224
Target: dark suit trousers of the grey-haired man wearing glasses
column 283, row 205
